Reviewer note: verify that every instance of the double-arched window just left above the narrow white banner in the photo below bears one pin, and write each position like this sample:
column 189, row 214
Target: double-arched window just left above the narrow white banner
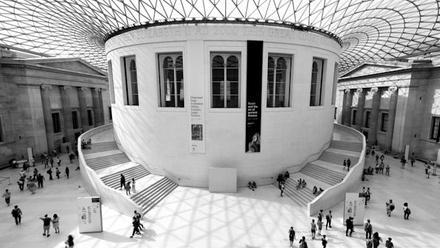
column 171, row 80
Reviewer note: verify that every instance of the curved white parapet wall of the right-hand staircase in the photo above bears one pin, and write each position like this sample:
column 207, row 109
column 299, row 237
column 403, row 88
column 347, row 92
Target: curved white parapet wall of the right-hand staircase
column 335, row 194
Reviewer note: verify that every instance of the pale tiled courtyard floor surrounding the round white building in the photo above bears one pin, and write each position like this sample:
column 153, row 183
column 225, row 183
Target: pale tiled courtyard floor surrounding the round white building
column 192, row 217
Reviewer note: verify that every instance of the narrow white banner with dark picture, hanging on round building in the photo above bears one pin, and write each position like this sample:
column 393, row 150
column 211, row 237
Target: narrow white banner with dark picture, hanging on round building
column 197, row 124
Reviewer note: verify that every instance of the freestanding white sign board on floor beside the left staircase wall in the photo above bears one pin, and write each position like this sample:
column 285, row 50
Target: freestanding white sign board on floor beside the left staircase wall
column 89, row 214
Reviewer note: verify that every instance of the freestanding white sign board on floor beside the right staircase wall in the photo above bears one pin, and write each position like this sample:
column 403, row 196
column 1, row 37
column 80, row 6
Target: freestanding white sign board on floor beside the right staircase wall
column 354, row 206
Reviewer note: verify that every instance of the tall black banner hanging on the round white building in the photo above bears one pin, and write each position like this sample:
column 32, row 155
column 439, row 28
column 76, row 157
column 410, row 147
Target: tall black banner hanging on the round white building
column 253, row 95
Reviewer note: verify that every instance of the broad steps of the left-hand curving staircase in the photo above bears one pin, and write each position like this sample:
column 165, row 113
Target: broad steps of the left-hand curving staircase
column 109, row 163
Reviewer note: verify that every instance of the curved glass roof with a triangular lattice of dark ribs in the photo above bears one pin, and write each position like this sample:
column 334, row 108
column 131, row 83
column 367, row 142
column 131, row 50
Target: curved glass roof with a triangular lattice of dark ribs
column 369, row 29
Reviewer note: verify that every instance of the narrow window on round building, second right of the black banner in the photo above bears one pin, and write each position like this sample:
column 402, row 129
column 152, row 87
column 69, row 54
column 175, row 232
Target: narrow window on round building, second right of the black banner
column 316, row 82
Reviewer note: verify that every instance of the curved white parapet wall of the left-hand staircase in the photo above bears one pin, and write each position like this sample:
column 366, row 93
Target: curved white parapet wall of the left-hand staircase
column 92, row 183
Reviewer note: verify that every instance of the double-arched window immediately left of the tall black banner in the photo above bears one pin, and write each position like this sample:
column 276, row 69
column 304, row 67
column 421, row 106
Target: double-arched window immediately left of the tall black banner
column 225, row 80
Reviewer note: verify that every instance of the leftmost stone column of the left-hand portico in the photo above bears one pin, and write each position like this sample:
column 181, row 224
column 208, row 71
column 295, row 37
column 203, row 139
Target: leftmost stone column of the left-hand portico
column 47, row 112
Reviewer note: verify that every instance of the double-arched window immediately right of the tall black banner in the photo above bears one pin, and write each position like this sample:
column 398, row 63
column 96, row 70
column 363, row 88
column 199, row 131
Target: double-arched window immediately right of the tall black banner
column 278, row 80
